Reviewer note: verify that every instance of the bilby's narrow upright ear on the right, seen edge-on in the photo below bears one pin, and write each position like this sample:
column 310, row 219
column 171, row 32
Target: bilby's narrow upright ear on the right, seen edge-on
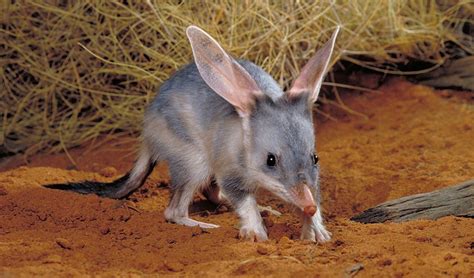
column 312, row 75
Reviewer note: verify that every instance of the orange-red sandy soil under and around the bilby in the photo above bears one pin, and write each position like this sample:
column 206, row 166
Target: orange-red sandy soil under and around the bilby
column 412, row 140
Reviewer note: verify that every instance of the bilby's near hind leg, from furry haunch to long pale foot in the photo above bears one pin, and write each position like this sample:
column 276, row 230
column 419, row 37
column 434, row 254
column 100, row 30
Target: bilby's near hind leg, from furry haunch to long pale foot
column 176, row 136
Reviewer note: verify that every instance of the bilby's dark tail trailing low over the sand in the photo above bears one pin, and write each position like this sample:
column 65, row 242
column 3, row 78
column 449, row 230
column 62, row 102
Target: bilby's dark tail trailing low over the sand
column 116, row 189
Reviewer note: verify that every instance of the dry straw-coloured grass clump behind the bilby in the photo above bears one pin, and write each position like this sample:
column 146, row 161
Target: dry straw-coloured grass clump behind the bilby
column 72, row 70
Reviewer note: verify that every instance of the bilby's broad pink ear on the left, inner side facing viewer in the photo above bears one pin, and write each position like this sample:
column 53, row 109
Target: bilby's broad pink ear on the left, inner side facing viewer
column 222, row 73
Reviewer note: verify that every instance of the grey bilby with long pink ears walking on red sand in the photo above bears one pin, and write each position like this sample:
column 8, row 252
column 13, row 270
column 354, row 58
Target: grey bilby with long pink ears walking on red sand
column 227, row 120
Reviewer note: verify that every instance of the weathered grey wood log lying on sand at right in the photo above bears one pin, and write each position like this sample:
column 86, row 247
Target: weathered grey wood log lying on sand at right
column 457, row 200
